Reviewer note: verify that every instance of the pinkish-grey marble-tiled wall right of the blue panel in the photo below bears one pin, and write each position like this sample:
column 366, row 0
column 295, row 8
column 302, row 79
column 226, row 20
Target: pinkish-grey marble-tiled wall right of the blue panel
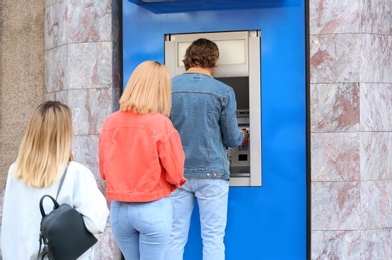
column 351, row 132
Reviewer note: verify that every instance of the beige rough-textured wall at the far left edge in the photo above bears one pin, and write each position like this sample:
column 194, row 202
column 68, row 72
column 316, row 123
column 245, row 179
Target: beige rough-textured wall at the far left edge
column 21, row 73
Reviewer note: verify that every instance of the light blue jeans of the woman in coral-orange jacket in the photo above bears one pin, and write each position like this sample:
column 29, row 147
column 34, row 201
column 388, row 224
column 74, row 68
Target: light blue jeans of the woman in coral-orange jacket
column 141, row 230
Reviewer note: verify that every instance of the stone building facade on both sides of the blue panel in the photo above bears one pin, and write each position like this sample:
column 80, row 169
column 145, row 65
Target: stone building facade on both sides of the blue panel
column 70, row 51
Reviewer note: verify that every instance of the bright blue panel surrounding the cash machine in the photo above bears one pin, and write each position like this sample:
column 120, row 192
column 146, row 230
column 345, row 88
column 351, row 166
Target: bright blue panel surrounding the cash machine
column 268, row 222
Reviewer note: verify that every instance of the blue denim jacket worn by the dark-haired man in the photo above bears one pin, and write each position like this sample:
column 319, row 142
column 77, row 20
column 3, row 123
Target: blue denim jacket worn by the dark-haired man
column 204, row 114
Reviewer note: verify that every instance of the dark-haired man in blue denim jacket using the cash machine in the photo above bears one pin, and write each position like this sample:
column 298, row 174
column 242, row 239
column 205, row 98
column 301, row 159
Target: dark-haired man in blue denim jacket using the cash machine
column 204, row 114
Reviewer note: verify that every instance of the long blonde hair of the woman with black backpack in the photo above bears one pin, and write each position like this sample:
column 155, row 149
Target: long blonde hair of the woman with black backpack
column 46, row 146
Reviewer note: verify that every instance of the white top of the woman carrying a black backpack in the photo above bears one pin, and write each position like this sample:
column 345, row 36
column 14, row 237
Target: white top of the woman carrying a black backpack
column 22, row 217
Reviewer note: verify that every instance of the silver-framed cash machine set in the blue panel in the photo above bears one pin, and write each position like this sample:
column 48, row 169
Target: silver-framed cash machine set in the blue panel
column 239, row 67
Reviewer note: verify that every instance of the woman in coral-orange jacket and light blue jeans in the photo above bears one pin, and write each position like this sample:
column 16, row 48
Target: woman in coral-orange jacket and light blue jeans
column 142, row 160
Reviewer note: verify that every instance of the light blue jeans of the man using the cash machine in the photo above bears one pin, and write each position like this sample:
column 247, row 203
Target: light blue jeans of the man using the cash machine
column 212, row 199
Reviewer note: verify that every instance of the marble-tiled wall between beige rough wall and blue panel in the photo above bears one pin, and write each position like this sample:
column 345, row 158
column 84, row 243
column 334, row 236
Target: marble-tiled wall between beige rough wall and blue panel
column 82, row 69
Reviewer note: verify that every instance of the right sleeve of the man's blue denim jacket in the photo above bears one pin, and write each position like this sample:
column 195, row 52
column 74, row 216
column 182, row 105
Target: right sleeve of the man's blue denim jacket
column 231, row 134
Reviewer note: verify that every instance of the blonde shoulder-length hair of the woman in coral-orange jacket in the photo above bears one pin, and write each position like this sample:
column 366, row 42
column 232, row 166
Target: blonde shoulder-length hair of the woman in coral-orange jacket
column 148, row 90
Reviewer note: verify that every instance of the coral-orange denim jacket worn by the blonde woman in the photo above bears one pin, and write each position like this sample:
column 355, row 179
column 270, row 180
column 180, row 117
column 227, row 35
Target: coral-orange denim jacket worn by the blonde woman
column 140, row 157
